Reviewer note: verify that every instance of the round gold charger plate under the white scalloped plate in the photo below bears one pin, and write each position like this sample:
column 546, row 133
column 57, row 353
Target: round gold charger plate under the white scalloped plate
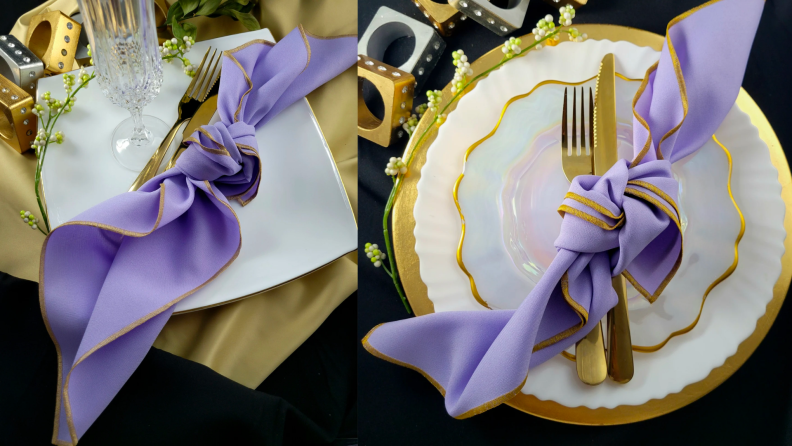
column 408, row 262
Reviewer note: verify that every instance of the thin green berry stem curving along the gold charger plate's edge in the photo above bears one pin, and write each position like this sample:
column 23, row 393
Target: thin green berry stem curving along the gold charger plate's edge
column 398, row 181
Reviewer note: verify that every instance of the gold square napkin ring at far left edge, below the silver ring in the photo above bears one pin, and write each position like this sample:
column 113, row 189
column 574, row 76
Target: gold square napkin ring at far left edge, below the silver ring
column 18, row 124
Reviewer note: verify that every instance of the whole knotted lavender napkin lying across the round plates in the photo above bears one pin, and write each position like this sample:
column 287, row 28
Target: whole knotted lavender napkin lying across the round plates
column 625, row 222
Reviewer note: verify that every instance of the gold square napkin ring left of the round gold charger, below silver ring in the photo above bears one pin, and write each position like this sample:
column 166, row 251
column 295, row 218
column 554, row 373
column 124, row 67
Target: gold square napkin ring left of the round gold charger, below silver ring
column 397, row 88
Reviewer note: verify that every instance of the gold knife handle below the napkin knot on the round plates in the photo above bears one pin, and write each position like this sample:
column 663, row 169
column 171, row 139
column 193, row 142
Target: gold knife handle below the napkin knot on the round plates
column 620, row 360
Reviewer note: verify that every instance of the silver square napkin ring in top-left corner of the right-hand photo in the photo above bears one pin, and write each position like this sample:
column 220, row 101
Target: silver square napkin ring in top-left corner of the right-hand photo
column 389, row 25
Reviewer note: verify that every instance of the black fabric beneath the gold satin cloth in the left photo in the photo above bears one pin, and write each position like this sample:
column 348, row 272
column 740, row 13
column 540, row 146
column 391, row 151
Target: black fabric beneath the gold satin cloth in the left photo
column 309, row 399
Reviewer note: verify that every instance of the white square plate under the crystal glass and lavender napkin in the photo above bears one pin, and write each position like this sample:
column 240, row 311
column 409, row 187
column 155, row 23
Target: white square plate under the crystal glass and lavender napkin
column 300, row 220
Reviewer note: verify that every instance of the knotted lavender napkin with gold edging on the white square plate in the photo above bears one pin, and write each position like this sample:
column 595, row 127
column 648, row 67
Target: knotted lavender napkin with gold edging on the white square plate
column 110, row 277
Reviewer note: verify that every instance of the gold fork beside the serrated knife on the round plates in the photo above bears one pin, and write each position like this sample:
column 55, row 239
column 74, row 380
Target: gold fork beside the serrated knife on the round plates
column 589, row 351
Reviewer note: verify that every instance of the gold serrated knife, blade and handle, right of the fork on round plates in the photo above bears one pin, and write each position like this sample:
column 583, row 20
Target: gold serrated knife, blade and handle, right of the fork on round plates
column 620, row 359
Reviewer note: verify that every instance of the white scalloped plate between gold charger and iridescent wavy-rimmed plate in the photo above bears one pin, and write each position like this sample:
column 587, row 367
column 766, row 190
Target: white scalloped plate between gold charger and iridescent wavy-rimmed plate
column 732, row 308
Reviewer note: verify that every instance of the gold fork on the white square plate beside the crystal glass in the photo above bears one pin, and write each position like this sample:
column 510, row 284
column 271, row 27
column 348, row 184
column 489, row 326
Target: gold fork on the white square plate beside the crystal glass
column 205, row 77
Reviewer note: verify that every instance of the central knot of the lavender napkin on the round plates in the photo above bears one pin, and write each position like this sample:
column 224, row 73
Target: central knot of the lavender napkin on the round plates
column 630, row 215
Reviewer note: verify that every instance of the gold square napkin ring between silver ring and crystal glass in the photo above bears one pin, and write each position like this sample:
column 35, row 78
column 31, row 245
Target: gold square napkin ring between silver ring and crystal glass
column 53, row 37
